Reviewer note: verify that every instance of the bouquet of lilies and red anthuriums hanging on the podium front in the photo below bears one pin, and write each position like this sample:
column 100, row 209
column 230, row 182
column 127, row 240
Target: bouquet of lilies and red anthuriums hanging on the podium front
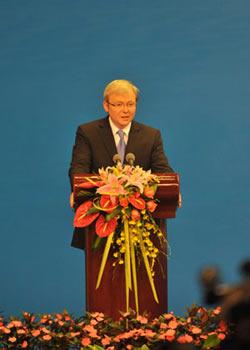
column 120, row 199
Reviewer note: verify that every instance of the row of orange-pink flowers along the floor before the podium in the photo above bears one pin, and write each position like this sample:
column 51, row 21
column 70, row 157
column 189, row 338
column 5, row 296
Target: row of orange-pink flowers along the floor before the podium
column 202, row 328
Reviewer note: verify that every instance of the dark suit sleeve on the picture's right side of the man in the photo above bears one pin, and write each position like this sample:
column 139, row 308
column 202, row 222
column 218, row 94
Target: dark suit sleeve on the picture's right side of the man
column 159, row 160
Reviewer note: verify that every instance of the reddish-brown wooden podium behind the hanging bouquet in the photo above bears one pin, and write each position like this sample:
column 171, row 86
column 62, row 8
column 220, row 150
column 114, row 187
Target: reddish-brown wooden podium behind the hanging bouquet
column 109, row 298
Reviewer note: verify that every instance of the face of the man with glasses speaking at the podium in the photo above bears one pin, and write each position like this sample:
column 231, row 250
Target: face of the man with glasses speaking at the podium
column 121, row 108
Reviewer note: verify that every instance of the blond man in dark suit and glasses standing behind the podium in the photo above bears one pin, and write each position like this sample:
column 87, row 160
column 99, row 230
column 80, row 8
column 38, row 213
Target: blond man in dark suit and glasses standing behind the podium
column 98, row 141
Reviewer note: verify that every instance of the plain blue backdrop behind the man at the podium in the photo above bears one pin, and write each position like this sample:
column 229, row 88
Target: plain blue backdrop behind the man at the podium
column 191, row 61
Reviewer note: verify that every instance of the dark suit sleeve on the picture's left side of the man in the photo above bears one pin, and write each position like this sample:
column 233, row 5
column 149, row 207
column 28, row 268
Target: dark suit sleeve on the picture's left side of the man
column 81, row 155
